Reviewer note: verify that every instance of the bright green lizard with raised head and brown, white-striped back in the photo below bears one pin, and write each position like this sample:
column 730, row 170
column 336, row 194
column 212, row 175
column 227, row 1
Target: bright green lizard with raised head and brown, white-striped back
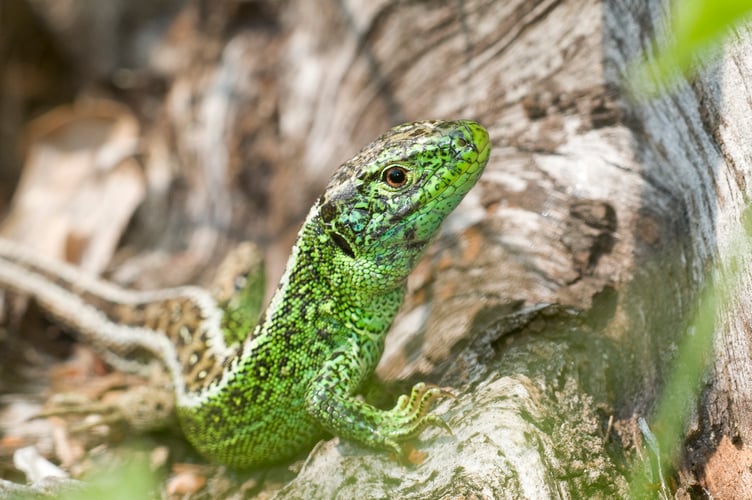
column 247, row 396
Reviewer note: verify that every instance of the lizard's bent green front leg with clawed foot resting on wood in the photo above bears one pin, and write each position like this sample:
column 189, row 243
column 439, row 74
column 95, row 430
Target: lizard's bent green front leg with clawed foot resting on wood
column 331, row 401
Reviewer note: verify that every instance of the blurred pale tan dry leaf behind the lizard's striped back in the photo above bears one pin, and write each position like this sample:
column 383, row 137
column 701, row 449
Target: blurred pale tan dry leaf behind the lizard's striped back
column 80, row 184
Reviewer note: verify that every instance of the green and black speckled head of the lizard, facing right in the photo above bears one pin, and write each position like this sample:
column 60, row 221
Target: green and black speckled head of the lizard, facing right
column 383, row 206
